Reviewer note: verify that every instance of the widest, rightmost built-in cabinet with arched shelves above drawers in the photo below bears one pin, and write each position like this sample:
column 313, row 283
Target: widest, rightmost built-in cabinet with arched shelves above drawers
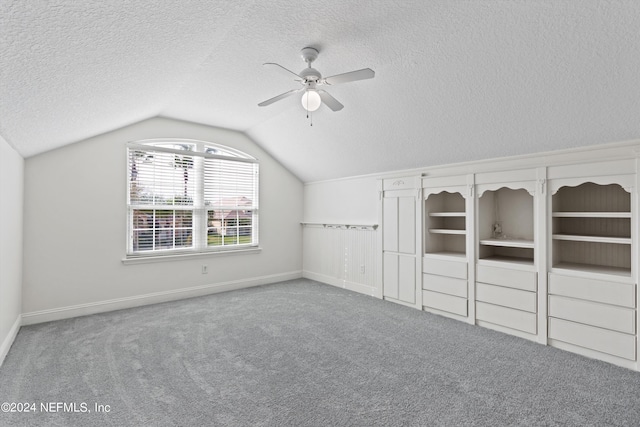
column 593, row 257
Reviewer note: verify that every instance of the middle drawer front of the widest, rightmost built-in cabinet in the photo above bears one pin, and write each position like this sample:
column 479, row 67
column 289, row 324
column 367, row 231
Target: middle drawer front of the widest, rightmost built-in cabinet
column 590, row 313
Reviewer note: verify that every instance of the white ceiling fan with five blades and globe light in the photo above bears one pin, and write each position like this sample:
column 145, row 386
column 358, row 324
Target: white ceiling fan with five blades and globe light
column 311, row 79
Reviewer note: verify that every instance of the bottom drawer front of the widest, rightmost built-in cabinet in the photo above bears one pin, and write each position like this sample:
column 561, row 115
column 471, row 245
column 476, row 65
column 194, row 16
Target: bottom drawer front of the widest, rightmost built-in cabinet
column 603, row 340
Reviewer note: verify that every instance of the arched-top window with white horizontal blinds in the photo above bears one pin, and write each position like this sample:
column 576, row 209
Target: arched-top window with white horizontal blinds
column 188, row 196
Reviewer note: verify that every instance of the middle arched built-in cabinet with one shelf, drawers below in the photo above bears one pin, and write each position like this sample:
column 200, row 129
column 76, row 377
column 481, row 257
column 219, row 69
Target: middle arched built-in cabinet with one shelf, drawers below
column 506, row 285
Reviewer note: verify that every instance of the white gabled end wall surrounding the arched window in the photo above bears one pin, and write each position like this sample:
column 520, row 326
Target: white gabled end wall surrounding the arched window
column 75, row 229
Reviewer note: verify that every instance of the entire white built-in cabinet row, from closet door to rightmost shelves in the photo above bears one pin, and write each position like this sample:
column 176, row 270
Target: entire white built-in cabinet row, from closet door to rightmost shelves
column 547, row 253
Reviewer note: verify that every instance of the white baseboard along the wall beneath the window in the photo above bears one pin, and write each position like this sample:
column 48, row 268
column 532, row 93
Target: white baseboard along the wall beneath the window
column 153, row 298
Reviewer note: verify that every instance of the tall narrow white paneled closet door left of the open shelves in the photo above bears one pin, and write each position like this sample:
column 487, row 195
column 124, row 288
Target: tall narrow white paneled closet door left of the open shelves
column 399, row 241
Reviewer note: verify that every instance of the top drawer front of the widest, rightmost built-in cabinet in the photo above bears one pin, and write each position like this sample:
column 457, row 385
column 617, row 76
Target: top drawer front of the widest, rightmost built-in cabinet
column 621, row 294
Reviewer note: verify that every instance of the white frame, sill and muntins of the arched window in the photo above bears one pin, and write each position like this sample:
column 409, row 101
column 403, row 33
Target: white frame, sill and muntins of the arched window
column 200, row 226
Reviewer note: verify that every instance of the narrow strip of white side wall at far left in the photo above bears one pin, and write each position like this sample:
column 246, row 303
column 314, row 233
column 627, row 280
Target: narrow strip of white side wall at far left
column 11, row 198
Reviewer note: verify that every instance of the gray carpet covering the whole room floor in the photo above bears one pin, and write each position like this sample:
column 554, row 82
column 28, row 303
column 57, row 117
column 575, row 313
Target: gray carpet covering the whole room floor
column 301, row 353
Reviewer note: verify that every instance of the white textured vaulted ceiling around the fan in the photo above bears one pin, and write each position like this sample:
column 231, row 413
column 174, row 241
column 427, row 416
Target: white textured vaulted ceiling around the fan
column 455, row 80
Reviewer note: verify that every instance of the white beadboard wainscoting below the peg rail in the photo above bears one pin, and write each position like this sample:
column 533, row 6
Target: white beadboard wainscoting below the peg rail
column 342, row 255
